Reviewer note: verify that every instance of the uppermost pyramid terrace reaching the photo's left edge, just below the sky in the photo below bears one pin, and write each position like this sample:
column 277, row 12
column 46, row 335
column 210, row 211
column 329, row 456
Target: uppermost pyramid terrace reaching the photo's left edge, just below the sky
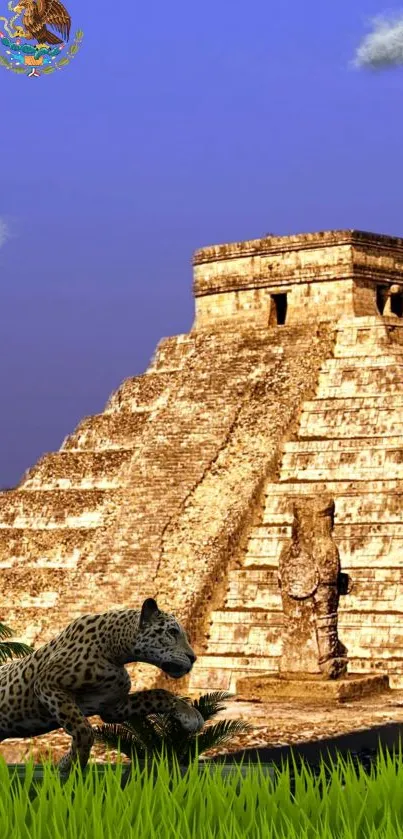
column 55, row 508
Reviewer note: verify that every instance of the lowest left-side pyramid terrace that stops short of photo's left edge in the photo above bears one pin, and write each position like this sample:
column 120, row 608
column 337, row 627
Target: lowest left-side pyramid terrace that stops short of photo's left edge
column 72, row 469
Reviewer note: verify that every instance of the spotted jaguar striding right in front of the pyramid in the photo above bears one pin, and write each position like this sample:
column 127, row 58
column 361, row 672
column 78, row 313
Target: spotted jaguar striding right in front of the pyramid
column 82, row 672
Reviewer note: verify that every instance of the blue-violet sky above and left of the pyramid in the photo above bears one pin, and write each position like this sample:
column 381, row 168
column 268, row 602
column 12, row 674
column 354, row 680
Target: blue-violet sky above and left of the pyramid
column 176, row 126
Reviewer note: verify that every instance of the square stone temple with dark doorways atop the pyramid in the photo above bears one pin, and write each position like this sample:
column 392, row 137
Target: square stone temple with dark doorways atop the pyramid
column 312, row 275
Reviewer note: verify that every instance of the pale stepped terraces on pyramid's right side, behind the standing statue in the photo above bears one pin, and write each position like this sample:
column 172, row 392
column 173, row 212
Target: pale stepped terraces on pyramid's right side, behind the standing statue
column 350, row 444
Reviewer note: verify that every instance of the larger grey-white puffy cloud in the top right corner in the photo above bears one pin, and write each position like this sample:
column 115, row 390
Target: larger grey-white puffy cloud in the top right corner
column 383, row 47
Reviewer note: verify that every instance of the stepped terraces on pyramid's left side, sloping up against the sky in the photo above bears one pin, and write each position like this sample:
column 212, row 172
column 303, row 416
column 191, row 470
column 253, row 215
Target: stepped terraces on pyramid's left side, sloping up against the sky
column 54, row 514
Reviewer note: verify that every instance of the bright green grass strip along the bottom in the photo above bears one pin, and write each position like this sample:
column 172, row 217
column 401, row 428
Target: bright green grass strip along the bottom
column 158, row 803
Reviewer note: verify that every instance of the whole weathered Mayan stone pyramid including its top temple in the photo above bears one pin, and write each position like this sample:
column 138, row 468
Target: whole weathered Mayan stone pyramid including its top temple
column 289, row 383
